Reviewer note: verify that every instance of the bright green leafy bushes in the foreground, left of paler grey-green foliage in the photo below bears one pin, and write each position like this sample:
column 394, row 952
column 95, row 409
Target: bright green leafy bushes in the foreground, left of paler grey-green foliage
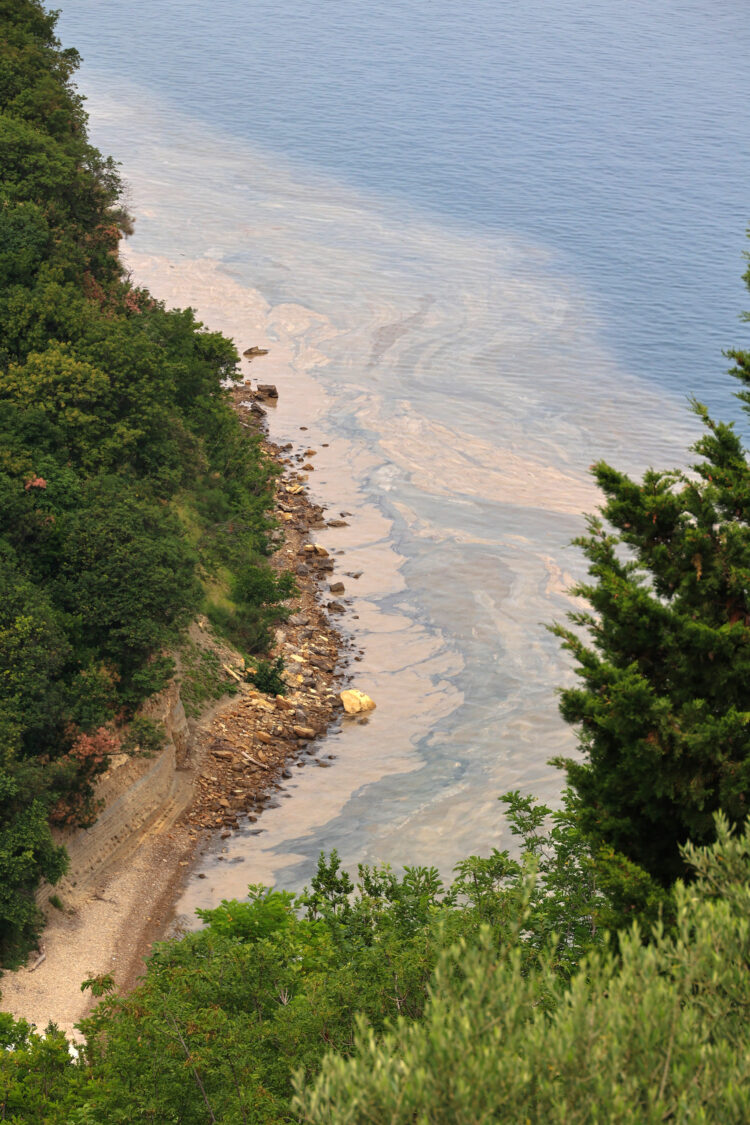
column 227, row 1016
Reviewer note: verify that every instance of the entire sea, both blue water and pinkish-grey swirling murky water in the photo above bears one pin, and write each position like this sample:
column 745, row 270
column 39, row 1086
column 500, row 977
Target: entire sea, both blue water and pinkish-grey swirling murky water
column 485, row 245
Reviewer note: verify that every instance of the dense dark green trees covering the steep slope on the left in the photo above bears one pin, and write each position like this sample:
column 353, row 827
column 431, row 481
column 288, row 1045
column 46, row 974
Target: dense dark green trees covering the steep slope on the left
column 128, row 489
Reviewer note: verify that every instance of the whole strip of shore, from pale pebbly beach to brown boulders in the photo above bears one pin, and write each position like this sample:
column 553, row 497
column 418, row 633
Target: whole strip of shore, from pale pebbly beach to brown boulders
column 242, row 750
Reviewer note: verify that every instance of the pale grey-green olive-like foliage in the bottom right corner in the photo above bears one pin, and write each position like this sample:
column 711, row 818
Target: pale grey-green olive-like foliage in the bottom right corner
column 657, row 1034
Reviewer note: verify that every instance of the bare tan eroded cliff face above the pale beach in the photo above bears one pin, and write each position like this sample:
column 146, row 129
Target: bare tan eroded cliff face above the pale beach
column 139, row 796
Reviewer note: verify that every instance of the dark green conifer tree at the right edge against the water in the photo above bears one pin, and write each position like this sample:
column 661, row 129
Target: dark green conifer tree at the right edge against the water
column 664, row 703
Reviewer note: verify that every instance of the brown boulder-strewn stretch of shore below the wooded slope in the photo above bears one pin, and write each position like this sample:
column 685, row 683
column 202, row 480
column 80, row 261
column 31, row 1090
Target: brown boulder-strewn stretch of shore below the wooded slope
column 254, row 743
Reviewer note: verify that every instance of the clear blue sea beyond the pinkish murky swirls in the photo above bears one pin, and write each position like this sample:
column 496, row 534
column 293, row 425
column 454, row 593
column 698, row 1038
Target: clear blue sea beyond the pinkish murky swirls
column 619, row 136
